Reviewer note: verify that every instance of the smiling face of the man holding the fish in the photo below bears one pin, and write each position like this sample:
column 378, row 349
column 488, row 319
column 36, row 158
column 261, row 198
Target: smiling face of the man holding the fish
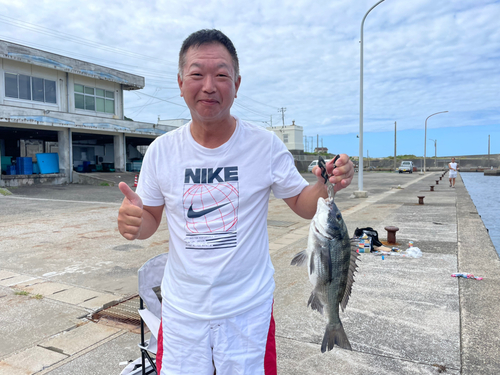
column 208, row 85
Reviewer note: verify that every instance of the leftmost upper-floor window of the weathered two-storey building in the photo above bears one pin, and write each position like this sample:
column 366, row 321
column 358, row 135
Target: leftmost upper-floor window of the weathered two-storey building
column 21, row 86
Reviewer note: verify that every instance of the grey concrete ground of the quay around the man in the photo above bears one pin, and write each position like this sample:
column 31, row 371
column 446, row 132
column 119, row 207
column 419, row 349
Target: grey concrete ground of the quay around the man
column 61, row 257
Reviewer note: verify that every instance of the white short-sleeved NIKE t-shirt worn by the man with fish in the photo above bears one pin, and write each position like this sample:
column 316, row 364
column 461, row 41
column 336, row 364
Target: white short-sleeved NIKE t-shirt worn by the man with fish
column 216, row 202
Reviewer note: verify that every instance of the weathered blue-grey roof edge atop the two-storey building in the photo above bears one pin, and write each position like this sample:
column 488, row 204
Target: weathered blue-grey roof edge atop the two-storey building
column 38, row 57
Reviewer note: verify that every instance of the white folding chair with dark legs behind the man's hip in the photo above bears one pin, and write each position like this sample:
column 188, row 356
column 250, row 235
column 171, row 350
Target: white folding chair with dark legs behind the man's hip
column 150, row 276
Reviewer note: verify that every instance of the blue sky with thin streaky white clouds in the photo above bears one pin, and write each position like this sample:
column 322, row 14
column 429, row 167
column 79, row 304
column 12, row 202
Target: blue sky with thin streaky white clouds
column 420, row 57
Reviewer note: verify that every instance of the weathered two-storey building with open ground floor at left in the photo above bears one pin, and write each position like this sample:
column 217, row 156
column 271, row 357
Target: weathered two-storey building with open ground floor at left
column 71, row 110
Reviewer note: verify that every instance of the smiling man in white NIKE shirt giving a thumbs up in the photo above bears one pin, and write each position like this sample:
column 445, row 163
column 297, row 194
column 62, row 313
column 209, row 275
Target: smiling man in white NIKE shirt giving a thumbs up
column 213, row 177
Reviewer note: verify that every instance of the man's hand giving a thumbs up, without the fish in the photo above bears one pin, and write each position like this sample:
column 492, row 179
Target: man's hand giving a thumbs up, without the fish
column 130, row 213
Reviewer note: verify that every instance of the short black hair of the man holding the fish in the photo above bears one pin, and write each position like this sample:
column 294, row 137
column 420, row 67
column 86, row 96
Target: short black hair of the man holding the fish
column 208, row 36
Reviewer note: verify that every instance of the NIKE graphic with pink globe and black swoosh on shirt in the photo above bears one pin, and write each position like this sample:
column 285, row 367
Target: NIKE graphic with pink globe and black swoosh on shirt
column 211, row 201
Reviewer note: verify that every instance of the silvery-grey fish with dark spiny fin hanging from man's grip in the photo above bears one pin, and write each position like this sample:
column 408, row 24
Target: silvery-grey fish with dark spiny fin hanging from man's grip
column 331, row 258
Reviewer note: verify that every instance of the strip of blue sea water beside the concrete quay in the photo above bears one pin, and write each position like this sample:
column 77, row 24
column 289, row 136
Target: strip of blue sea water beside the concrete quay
column 485, row 193
